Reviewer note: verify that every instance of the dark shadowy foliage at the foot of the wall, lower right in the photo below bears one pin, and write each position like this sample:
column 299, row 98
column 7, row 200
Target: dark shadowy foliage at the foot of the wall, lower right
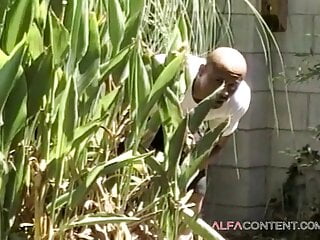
column 299, row 200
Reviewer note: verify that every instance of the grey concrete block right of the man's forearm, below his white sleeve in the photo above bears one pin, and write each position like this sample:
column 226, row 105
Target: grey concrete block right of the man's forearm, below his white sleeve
column 253, row 150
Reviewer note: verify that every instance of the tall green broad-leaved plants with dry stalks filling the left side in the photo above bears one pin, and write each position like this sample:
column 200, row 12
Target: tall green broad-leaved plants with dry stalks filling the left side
column 80, row 96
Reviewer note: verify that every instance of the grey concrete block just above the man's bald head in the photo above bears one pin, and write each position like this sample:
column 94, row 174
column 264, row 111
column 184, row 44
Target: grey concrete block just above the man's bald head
column 245, row 36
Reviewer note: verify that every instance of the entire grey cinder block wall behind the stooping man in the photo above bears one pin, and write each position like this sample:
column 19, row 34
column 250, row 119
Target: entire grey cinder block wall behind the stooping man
column 239, row 189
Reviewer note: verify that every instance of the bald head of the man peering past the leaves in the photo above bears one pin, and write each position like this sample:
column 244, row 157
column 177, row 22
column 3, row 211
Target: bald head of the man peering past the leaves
column 224, row 65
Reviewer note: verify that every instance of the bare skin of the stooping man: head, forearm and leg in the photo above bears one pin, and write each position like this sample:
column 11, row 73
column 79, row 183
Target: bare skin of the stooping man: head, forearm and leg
column 224, row 67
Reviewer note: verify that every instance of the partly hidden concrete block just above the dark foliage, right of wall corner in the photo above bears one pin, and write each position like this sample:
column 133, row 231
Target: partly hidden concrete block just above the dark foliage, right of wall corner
column 289, row 141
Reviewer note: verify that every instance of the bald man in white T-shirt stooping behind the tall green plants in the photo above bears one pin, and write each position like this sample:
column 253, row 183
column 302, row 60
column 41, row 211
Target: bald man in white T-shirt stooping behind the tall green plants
column 225, row 66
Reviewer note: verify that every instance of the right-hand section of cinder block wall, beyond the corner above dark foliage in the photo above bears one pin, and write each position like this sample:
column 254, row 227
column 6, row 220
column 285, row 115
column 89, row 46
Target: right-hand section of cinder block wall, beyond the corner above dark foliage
column 300, row 47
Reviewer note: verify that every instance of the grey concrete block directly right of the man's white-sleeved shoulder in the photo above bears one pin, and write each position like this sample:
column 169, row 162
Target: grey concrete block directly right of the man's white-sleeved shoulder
column 258, row 112
